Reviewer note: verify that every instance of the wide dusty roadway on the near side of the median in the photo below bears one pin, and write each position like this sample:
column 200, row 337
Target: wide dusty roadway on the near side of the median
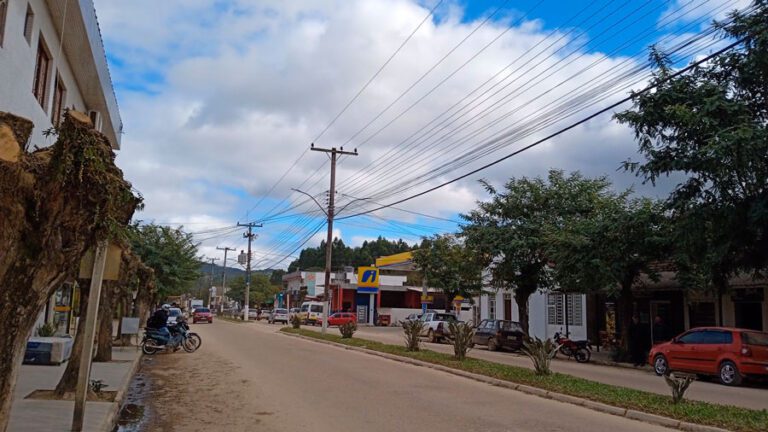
column 274, row 382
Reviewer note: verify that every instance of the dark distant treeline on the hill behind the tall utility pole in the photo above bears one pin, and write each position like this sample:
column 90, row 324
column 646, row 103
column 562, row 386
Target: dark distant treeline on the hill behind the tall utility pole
column 314, row 258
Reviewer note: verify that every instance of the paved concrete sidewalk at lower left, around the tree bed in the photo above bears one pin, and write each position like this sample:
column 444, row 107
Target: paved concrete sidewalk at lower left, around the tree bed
column 56, row 416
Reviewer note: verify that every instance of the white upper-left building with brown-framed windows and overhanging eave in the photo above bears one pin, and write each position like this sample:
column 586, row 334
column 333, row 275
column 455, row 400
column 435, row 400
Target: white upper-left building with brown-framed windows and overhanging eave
column 52, row 58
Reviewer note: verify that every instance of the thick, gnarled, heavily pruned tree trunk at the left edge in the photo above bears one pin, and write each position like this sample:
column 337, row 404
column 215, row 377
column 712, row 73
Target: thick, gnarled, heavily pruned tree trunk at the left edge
column 55, row 203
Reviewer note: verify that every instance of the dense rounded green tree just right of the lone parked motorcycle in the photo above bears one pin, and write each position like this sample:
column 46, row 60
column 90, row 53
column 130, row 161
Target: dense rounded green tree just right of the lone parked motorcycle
column 611, row 250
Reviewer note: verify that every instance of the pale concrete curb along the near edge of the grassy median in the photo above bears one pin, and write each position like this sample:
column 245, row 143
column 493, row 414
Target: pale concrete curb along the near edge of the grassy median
column 534, row 391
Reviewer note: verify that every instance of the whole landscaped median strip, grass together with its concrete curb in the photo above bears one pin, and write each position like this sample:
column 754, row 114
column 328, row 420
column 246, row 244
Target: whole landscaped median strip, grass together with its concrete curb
column 625, row 402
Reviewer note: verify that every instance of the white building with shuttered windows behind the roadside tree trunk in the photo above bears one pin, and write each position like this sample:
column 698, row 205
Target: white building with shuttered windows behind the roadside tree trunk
column 547, row 312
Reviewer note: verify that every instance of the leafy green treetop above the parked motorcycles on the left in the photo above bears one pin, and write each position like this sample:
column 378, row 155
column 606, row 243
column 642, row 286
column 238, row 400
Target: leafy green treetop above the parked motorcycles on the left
column 170, row 252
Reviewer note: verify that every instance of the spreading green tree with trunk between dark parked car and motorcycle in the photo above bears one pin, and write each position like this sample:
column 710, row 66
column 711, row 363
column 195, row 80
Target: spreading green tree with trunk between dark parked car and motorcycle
column 510, row 230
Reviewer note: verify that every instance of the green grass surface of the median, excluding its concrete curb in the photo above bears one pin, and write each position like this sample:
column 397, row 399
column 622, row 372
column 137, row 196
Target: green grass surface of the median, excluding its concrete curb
column 724, row 416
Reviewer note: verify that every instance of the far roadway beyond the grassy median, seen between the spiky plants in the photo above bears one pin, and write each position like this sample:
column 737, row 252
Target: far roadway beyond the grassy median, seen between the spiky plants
column 747, row 397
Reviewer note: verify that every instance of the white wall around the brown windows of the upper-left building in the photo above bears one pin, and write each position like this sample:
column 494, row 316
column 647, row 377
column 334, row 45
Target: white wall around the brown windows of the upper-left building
column 17, row 68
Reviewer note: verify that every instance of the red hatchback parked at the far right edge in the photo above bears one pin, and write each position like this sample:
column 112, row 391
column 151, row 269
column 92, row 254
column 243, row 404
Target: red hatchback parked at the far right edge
column 728, row 353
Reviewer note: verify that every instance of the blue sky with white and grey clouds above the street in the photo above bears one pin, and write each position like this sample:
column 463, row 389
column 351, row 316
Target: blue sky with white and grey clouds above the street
column 220, row 101
